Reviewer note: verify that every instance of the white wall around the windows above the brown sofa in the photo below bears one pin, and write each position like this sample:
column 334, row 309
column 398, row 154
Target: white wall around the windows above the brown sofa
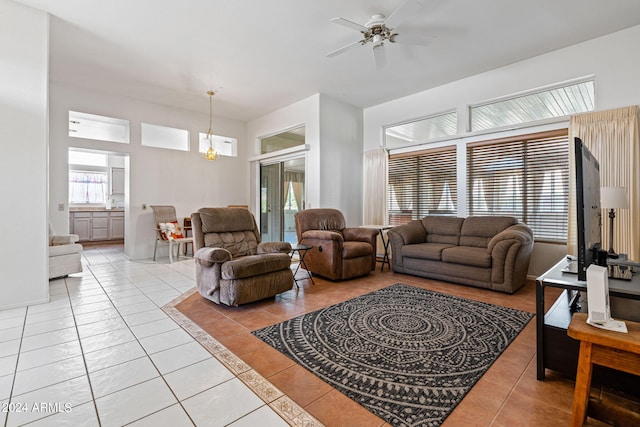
column 612, row 59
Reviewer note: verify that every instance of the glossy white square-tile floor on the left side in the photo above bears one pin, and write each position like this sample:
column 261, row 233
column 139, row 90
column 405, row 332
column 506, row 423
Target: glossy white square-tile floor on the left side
column 103, row 353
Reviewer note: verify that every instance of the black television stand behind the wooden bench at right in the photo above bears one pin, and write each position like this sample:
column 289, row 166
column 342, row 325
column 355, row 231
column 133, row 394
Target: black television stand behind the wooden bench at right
column 555, row 349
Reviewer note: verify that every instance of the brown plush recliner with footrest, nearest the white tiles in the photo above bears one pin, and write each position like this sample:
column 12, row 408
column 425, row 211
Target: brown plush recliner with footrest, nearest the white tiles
column 232, row 265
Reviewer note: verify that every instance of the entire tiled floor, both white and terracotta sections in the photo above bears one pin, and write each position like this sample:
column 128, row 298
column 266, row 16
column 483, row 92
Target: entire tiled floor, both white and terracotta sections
column 104, row 353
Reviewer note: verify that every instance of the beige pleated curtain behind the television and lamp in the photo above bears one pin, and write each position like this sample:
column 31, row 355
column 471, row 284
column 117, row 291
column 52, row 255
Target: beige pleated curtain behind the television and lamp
column 612, row 136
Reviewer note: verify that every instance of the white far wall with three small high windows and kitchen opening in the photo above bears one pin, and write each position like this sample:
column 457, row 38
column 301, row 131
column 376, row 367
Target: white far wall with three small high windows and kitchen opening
column 156, row 176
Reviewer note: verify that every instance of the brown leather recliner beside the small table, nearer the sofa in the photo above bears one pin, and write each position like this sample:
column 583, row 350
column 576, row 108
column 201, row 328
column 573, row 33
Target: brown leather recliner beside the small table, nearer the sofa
column 337, row 252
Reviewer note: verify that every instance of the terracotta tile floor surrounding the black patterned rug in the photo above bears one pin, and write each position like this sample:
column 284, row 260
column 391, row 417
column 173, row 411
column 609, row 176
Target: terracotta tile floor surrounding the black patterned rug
column 507, row 395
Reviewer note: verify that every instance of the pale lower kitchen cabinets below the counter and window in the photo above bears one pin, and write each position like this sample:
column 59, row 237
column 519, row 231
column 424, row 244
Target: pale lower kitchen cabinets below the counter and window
column 97, row 225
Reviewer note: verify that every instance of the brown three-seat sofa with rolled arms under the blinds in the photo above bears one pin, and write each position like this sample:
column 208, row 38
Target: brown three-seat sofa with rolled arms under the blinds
column 485, row 251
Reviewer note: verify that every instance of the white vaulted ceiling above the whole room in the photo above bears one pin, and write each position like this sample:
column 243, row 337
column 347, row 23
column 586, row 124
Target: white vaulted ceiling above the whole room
column 263, row 55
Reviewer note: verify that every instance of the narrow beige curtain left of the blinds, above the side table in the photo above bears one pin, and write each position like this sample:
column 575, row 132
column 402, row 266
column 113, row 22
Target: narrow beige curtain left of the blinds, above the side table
column 376, row 165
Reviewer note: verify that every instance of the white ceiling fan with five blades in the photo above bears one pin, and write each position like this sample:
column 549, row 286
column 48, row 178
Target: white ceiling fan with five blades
column 378, row 30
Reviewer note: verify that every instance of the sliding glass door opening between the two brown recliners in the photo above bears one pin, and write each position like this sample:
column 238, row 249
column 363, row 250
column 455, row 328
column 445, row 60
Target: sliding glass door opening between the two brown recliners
column 281, row 196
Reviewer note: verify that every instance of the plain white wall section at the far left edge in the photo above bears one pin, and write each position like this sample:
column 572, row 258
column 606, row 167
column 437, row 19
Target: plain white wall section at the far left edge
column 24, row 40
